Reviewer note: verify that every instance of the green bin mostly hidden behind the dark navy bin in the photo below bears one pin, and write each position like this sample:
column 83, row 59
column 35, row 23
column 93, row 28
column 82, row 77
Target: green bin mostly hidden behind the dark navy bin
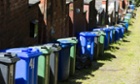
column 74, row 41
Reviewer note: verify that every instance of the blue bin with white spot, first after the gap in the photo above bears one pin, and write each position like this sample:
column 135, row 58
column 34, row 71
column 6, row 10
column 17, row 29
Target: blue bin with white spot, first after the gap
column 87, row 43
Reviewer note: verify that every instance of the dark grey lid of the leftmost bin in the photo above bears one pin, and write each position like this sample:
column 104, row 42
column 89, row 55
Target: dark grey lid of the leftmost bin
column 8, row 57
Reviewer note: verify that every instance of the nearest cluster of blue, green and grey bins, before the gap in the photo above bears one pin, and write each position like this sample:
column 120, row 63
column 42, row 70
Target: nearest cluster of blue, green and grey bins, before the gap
column 41, row 64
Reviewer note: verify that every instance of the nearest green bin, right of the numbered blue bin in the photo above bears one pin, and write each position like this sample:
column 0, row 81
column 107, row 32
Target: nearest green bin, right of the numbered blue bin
column 43, row 64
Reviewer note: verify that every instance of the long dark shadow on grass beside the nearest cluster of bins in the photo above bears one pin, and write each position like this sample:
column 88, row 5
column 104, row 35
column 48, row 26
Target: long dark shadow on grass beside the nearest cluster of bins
column 83, row 74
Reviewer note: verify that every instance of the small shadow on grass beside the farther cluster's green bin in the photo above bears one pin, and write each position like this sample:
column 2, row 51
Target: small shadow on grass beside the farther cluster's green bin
column 107, row 57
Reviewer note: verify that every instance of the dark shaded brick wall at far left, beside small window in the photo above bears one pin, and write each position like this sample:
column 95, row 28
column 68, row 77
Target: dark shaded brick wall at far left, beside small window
column 15, row 17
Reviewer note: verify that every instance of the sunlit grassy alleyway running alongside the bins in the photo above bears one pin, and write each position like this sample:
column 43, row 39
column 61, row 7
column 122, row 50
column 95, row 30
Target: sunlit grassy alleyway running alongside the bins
column 121, row 64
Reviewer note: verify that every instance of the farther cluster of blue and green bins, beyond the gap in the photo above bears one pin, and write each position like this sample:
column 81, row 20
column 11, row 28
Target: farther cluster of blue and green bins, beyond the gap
column 94, row 42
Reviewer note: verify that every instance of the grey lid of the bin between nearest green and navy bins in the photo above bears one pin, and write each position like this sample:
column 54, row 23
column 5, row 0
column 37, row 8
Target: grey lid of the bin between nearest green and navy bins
column 54, row 47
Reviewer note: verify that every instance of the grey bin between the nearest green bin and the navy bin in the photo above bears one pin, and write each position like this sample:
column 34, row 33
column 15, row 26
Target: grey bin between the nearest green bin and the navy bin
column 54, row 60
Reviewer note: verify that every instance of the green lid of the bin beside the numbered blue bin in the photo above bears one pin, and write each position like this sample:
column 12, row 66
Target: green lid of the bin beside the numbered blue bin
column 42, row 49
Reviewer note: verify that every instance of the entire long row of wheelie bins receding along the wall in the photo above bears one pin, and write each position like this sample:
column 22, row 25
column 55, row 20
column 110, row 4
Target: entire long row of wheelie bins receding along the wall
column 48, row 63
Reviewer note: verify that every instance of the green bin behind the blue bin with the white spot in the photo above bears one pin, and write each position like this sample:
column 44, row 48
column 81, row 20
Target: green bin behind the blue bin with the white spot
column 100, row 41
